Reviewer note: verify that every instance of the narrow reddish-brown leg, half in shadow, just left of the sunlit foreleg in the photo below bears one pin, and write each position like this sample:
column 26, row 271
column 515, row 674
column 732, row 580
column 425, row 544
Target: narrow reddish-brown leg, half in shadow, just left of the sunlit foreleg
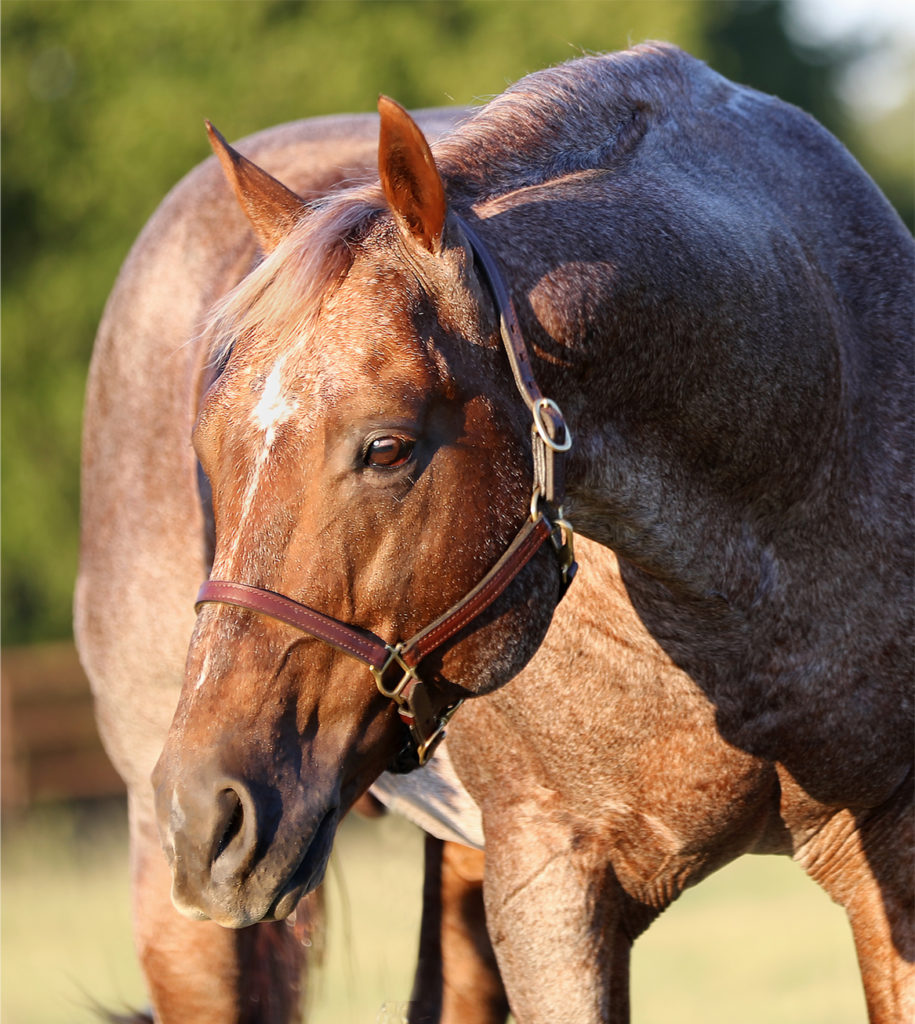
column 458, row 979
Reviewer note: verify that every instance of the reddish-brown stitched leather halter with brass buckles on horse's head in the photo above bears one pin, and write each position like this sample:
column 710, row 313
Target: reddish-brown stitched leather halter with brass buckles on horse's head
column 396, row 667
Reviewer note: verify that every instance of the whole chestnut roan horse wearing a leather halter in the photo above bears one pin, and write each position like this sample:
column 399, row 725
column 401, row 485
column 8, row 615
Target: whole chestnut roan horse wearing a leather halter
column 723, row 301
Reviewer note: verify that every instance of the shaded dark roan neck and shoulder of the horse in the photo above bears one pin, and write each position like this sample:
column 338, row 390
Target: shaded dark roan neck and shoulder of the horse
column 739, row 397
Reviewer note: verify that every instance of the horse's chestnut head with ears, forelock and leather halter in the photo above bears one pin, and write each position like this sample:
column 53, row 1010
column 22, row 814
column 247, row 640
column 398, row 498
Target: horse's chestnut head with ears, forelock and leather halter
column 370, row 462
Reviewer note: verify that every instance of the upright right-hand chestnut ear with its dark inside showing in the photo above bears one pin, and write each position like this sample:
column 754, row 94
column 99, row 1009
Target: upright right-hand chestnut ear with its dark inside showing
column 410, row 179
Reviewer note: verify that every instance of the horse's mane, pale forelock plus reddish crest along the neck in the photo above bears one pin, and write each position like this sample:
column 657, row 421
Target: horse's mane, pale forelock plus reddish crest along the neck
column 538, row 131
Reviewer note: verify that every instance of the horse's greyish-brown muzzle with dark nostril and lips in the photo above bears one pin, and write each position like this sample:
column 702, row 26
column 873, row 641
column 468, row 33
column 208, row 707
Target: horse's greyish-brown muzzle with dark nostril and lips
column 240, row 852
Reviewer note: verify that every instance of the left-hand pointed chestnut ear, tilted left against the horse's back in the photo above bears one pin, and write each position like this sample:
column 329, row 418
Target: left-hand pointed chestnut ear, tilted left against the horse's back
column 273, row 209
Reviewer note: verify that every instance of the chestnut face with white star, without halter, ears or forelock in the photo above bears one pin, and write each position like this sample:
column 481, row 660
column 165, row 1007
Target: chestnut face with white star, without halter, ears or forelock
column 375, row 473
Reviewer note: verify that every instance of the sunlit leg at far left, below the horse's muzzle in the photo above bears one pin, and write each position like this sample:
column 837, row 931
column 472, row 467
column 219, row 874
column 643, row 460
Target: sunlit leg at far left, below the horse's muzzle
column 200, row 973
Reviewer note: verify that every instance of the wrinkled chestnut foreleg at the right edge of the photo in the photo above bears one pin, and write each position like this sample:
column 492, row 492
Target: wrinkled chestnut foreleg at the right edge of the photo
column 864, row 863
